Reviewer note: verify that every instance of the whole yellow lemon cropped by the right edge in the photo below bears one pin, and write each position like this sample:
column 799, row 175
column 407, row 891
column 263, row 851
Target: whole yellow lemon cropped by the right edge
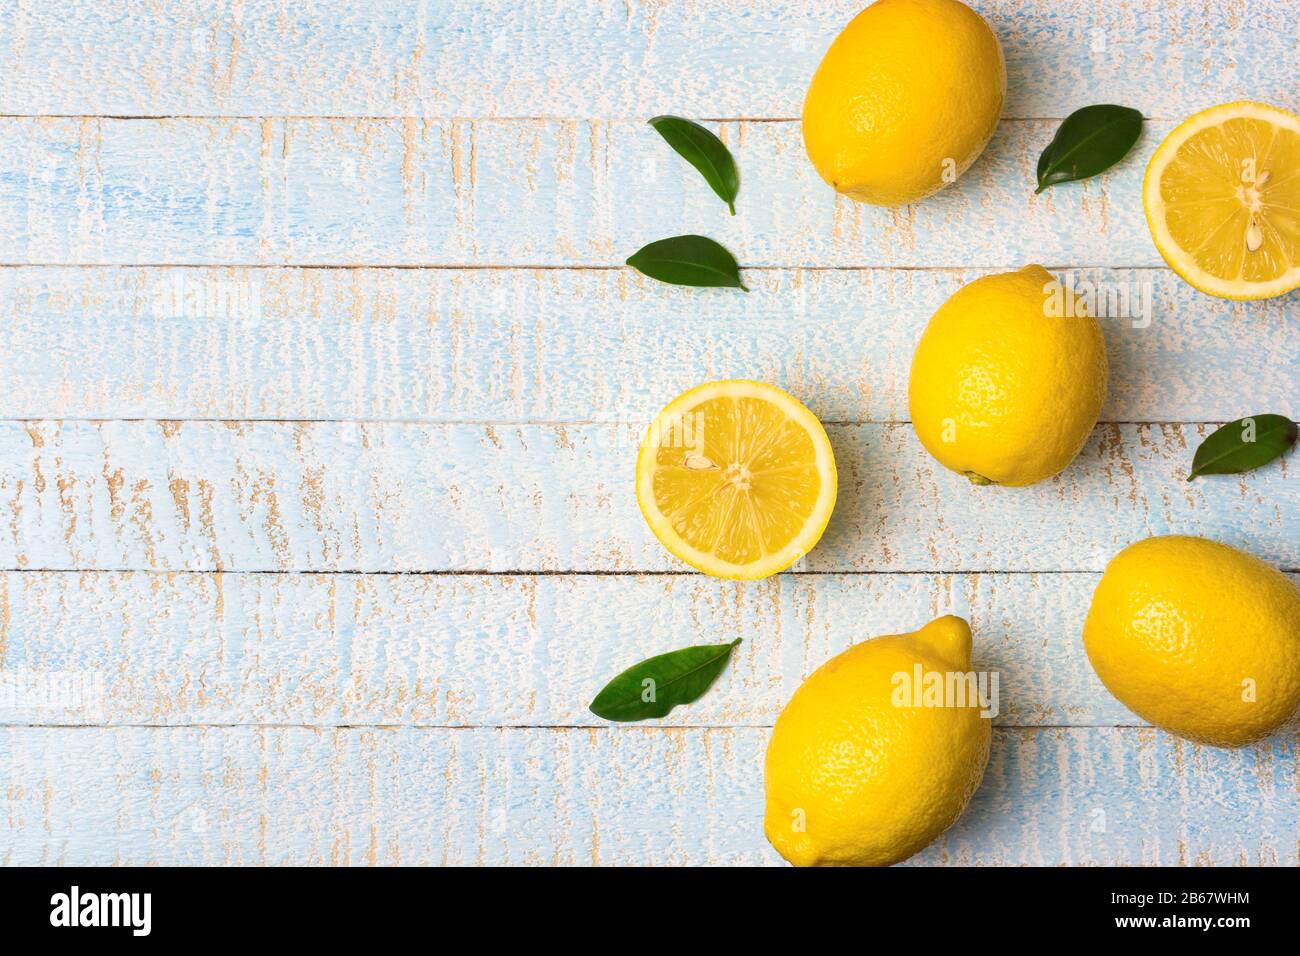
column 1199, row 639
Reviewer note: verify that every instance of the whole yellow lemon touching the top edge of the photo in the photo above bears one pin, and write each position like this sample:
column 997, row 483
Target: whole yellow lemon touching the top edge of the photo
column 905, row 100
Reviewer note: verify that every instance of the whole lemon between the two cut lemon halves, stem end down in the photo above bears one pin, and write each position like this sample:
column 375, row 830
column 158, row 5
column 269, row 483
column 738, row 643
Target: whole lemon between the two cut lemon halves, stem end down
column 1008, row 379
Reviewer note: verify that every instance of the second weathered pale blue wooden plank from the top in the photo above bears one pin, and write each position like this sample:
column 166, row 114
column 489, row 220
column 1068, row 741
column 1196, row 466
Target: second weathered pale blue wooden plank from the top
column 326, row 192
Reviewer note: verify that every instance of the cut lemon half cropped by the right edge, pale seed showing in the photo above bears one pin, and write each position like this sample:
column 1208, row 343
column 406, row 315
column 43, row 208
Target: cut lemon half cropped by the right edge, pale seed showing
column 1223, row 200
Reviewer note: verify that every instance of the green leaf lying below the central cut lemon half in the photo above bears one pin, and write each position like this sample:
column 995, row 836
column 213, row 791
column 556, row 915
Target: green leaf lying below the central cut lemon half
column 656, row 686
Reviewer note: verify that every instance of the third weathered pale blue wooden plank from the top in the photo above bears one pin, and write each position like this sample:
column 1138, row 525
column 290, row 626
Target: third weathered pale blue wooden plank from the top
column 564, row 345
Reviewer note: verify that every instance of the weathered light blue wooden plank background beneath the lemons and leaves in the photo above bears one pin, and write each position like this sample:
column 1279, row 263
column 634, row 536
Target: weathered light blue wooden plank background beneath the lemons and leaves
column 322, row 384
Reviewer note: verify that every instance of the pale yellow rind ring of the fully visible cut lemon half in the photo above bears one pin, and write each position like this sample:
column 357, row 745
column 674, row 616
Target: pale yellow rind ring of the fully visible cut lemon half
column 814, row 527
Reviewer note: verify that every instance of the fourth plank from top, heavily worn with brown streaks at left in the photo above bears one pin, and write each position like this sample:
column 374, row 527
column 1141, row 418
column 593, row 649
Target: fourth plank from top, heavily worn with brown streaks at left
column 471, row 498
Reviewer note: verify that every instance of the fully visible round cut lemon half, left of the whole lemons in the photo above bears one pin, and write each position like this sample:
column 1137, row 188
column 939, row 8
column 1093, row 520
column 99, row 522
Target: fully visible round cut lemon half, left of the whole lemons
column 738, row 479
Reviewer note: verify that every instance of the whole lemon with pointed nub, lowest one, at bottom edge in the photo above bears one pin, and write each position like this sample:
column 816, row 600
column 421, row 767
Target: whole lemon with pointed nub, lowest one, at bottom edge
column 857, row 775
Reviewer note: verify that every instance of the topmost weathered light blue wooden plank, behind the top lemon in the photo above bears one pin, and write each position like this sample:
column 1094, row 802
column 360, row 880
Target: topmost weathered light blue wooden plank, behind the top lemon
column 502, row 58
